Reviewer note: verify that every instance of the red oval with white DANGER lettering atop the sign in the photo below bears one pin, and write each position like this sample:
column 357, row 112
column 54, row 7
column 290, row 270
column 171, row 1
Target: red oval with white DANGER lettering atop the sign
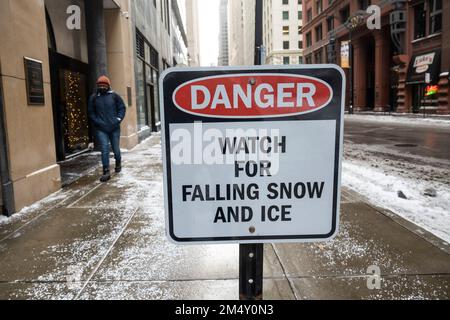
column 253, row 96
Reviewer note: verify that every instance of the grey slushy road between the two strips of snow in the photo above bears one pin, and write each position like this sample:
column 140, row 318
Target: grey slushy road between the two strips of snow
column 415, row 150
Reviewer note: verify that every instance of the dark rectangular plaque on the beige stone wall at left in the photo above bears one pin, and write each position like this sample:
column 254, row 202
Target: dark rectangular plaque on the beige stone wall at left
column 34, row 81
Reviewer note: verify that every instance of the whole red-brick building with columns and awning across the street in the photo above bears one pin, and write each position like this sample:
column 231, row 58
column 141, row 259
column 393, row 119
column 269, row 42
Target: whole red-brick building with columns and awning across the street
column 401, row 65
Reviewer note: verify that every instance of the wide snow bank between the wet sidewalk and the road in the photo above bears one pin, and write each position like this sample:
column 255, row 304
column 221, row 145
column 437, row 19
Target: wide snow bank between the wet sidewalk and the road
column 379, row 178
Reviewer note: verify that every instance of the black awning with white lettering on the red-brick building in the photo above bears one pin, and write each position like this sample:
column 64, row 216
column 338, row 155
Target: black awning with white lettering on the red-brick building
column 423, row 64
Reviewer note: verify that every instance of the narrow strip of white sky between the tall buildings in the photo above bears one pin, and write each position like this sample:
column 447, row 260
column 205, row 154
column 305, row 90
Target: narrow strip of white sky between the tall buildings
column 209, row 31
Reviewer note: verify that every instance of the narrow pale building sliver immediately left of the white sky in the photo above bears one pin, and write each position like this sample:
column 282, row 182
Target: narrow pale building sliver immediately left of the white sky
column 193, row 35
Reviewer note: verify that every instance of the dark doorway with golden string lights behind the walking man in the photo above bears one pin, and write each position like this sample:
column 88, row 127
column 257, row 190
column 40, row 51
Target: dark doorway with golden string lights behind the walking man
column 70, row 99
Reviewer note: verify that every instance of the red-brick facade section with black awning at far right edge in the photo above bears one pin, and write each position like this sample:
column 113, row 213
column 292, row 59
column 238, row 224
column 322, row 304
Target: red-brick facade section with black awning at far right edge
column 428, row 51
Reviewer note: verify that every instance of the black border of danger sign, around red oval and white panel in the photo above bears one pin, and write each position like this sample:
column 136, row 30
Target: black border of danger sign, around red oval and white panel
column 211, row 71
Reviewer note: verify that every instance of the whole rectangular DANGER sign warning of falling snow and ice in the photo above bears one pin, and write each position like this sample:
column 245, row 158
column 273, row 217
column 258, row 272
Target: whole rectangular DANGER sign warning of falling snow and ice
column 252, row 155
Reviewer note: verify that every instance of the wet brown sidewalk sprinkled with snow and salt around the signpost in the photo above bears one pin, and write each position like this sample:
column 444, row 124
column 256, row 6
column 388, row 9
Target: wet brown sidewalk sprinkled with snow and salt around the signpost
column 107, row 241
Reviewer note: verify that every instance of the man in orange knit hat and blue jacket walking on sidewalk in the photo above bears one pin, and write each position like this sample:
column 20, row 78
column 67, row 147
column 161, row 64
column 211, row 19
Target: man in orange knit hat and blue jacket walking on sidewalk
column 107, row 110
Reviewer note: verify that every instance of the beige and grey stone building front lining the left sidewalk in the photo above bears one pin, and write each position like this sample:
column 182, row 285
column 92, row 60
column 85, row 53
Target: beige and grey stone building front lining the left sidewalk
column 51, row 54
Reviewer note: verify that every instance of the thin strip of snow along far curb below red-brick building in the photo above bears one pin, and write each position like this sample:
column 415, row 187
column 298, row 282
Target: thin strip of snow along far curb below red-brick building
column 407, row 120
